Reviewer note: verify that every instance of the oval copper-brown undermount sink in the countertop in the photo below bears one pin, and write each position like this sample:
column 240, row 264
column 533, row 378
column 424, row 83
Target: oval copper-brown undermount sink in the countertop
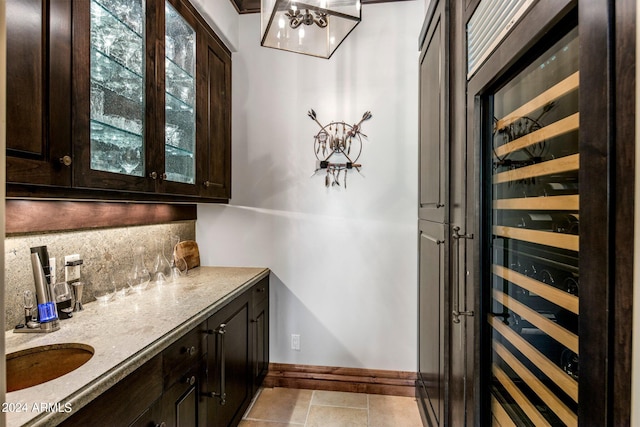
column 37, row 365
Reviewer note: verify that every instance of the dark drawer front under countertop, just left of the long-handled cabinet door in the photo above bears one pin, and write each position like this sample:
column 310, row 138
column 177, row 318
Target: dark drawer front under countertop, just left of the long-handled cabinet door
column 181, row 356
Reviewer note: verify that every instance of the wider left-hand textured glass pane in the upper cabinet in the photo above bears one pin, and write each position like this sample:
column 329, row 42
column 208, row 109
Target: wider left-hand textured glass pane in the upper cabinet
column 117, row 80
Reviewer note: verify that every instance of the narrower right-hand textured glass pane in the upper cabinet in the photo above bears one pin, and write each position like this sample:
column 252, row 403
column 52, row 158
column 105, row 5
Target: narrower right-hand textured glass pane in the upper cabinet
column 180, row 118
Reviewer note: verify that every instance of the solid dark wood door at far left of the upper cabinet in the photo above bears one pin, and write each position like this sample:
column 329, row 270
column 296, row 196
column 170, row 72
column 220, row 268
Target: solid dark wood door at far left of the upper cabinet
column 38, row 91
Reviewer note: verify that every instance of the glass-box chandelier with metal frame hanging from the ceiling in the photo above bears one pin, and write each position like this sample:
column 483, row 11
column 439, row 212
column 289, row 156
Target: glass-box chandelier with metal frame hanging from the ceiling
column 310, row 27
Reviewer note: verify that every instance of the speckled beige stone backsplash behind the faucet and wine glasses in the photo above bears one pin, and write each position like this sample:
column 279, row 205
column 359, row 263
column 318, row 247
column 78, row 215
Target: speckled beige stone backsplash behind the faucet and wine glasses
column 103, row 251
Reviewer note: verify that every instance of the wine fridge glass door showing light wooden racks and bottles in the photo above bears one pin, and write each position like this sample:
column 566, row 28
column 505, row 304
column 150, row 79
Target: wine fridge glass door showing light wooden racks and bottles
column 532, row 163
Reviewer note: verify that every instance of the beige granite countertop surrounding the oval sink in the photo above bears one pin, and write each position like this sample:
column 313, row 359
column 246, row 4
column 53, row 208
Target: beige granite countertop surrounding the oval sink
column 125, row 334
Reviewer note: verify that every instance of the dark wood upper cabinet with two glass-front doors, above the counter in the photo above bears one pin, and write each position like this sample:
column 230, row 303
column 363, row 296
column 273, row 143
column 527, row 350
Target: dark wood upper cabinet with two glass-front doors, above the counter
column 117, row 102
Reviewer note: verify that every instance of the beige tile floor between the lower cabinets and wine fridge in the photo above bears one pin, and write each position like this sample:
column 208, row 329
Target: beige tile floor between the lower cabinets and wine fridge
column 286, row 407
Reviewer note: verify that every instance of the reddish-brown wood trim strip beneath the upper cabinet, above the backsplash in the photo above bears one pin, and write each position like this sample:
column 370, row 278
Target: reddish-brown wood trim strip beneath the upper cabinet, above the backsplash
column 37, row 216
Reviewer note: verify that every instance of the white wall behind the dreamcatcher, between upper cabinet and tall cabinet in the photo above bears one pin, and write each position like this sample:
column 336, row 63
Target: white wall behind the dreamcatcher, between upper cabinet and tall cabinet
column 344, row 262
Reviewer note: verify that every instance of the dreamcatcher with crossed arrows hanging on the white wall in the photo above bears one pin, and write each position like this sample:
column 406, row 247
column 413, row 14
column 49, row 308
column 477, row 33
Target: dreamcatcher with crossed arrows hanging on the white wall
column 337, row 147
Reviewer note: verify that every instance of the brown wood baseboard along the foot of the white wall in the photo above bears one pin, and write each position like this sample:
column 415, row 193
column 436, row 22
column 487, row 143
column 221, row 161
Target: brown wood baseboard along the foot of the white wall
column 356, row 380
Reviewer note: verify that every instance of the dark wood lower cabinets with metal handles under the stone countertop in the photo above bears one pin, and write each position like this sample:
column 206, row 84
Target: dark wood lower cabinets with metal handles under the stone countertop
column 205, row 378
